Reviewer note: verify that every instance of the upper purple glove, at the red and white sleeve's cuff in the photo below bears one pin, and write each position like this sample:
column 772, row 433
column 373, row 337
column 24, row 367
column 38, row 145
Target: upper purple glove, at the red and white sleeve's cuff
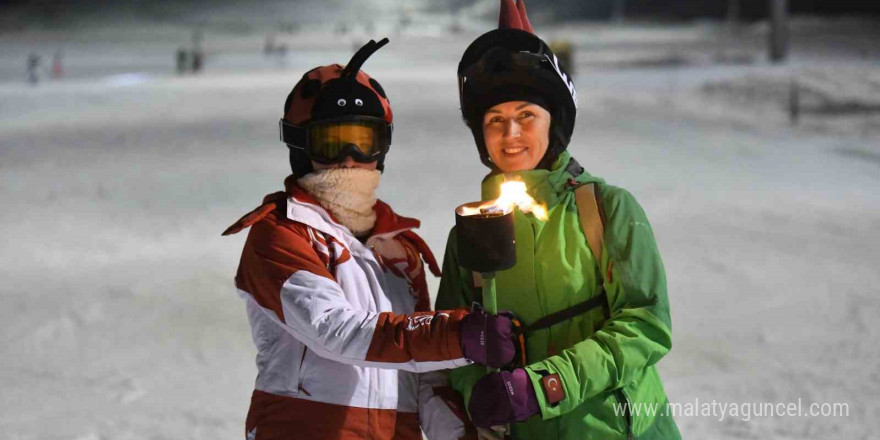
column 485, row 339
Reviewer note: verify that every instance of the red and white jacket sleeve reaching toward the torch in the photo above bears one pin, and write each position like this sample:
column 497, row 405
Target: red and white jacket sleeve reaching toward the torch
column 284, row 273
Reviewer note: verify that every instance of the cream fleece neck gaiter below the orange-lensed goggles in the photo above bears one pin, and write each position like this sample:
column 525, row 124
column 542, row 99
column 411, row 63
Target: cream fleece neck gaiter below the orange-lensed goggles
column 348, row 193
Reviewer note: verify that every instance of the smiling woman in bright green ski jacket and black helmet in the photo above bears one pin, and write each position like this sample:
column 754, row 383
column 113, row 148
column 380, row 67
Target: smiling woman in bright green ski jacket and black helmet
column 593, row 305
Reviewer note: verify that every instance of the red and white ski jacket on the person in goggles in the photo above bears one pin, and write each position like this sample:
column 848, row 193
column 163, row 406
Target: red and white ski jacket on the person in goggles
column 343, row 330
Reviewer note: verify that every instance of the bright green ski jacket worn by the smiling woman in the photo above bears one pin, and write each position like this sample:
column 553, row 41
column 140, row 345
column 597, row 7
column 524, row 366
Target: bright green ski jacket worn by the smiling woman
column 605, row 357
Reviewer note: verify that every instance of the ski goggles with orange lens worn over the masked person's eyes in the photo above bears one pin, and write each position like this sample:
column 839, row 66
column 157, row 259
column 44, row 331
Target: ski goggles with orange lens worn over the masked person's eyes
column 363, row 138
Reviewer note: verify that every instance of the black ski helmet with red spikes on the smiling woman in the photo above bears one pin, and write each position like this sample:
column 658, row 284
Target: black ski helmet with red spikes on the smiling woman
column 512, row 64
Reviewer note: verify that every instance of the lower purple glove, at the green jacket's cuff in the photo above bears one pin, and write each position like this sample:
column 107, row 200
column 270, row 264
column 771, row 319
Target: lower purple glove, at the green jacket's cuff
column 504, row 397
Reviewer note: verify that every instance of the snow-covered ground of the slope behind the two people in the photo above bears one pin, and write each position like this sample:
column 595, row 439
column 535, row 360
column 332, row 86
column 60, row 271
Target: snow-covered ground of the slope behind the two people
column 119, row 319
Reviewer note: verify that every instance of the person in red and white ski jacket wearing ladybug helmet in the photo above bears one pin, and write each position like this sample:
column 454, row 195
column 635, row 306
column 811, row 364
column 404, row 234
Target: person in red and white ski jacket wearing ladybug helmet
column 335, row 284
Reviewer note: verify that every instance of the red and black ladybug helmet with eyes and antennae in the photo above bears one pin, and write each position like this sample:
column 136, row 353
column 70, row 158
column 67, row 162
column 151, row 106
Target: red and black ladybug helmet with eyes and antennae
column 330, row 92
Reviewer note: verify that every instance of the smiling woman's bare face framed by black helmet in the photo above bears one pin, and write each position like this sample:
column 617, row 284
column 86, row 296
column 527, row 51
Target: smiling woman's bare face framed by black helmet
column 517, row 134
